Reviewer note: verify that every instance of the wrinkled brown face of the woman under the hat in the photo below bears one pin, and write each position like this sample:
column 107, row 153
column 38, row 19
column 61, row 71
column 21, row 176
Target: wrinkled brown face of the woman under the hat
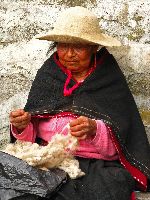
column 76, row 57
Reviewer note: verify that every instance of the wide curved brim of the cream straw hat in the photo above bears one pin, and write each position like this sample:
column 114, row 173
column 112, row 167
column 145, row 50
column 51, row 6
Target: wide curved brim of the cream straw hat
column 100, row 39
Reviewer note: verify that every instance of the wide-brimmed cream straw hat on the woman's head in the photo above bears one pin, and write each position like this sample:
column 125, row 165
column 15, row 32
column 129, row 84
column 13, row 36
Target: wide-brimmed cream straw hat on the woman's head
column 78, row 25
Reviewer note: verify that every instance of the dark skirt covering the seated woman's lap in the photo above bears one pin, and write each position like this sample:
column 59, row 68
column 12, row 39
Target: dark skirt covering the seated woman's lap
column 102, row 182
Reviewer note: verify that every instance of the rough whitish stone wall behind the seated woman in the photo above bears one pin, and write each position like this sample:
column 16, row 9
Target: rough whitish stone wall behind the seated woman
column 21, row 55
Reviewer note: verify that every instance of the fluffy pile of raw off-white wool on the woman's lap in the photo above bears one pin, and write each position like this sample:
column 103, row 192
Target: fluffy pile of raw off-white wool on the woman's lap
column 57, row 154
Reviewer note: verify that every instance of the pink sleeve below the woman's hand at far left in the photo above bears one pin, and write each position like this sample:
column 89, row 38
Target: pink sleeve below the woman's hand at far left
column 28, row 134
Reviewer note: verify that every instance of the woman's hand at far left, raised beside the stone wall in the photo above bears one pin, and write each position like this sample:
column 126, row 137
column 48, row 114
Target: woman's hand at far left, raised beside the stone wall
column 20, row 119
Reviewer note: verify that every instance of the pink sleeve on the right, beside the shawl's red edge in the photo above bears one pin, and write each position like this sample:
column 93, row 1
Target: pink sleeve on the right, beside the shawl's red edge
column 102, row 140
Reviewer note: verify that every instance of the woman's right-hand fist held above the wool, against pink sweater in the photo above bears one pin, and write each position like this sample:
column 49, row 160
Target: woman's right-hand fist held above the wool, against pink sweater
column 83, row 127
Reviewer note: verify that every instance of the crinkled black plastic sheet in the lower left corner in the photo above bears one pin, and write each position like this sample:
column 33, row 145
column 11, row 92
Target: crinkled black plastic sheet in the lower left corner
column 18, row 179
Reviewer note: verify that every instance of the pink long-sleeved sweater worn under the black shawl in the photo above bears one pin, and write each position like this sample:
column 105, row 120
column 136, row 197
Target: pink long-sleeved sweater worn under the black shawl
column 99, row 147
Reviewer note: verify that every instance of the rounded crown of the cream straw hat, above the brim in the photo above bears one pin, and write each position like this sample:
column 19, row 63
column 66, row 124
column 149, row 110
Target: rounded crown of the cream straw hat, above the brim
column 77, row 20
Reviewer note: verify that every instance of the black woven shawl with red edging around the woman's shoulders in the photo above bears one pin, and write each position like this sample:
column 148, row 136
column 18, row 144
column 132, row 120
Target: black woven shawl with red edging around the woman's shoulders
column 103, row 95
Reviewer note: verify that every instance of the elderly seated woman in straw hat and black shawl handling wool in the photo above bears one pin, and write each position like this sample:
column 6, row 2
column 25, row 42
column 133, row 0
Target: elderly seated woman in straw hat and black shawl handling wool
column 81, row 84
